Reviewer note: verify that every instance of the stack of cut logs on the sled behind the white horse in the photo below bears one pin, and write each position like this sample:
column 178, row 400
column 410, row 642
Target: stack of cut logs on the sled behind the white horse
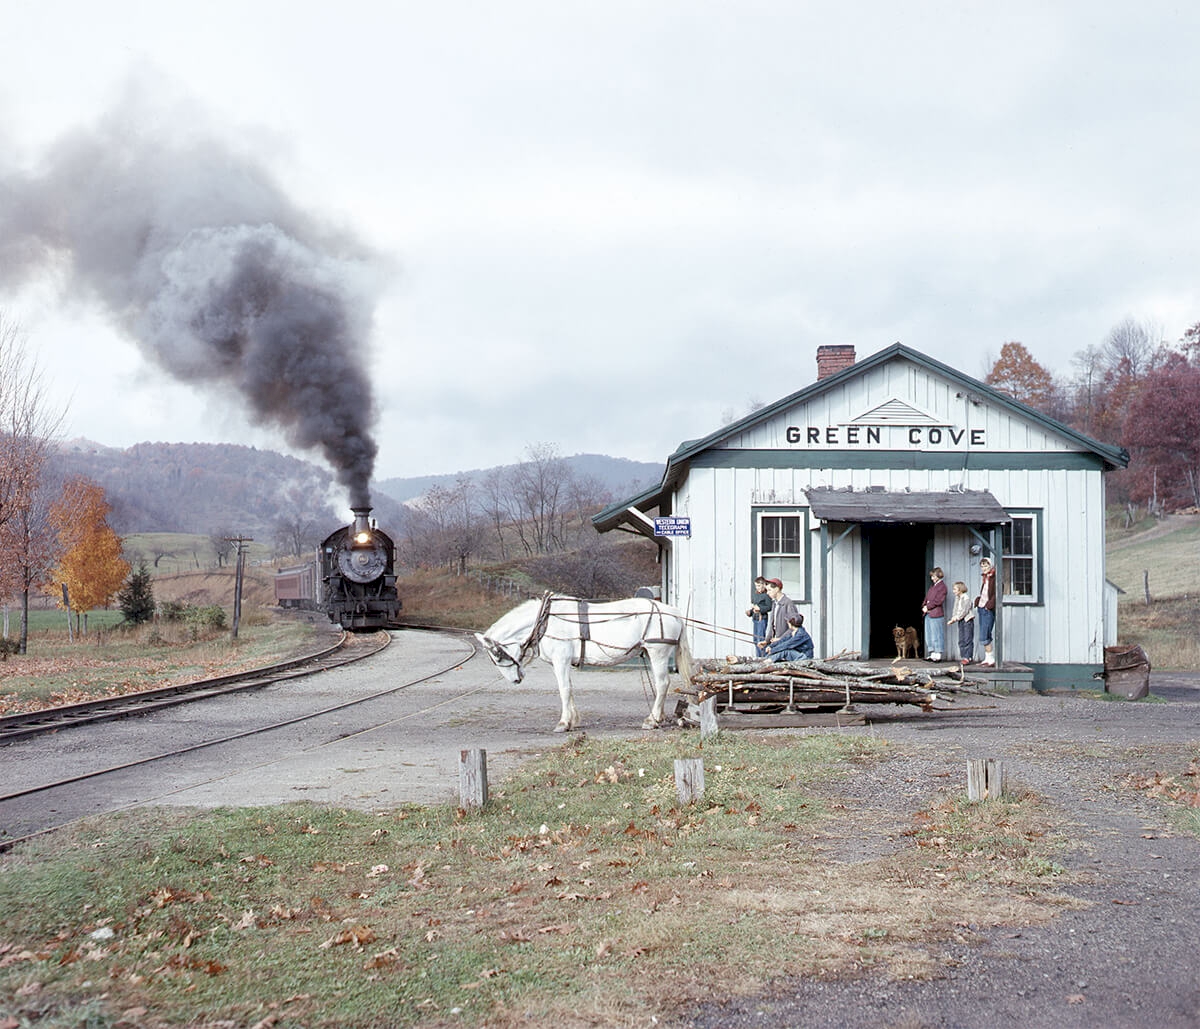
column 752, row 683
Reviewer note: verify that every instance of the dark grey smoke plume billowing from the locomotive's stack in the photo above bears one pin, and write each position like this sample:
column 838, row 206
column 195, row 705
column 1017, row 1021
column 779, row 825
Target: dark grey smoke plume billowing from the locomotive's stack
column 197, row 254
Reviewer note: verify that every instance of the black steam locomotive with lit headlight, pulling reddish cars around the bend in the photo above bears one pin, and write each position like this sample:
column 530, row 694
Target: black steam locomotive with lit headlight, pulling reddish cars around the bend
column 353, row 579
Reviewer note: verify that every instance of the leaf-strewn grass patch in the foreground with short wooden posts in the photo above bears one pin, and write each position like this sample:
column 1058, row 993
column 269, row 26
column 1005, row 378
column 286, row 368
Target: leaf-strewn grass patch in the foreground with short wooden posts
column 581, row 896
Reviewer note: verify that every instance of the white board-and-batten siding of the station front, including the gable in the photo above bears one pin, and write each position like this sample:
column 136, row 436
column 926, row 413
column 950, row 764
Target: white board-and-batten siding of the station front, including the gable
column 710, row 575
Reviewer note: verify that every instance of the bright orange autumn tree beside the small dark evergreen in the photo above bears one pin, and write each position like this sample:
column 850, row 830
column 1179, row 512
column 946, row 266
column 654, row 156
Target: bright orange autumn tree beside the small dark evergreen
column 92, row 565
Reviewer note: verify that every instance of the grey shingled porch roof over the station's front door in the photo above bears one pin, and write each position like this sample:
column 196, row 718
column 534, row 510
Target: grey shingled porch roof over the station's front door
column 952, row 508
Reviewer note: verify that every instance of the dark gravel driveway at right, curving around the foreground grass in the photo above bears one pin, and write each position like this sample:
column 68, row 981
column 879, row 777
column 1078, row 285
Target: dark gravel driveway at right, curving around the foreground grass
column 1127, row 959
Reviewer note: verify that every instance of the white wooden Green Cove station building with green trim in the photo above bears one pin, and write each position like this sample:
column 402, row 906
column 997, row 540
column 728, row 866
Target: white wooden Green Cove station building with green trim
column 853, row 489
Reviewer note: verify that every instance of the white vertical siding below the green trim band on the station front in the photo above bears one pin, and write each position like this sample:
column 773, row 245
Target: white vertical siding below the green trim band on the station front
column 713, row 570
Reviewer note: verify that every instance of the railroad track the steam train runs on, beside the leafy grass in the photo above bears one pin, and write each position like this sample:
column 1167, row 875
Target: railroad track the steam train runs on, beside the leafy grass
column 52, row 720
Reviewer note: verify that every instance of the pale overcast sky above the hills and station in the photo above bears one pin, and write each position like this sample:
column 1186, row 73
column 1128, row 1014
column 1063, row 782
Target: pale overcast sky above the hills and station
column 615, row 226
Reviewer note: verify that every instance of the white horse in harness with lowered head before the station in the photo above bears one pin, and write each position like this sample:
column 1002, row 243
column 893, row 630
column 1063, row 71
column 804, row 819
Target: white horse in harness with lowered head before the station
column 566, row 631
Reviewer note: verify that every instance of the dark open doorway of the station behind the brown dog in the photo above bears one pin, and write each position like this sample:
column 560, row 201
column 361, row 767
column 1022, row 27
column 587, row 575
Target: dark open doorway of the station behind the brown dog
column 898, row 563
